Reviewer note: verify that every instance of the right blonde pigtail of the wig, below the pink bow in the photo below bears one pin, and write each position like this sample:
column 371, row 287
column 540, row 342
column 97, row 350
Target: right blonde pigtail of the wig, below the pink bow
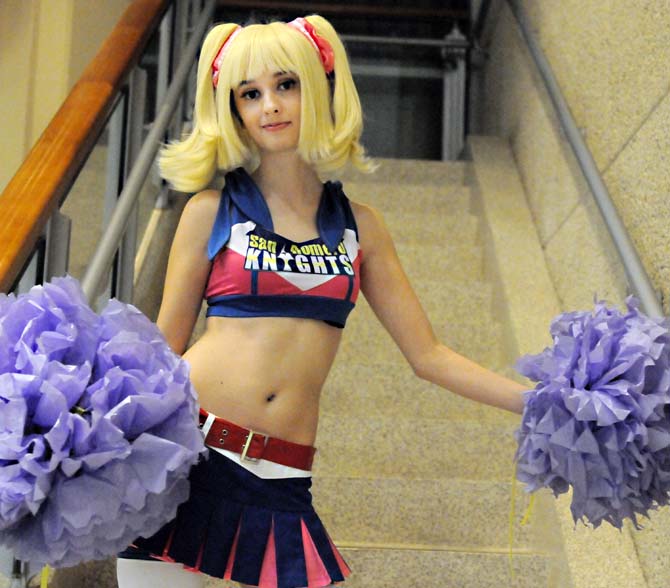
column 346, row 107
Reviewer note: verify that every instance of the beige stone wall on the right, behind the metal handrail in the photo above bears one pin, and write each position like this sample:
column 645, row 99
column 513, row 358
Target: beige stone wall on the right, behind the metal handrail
column 611, row 61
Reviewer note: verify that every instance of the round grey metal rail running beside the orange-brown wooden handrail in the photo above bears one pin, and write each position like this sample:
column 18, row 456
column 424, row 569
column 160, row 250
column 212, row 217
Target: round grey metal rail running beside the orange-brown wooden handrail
column 109, row 243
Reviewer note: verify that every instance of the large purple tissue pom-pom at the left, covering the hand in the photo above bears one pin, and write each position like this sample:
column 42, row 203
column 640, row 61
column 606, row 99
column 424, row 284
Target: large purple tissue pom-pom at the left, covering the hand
column 98, row 426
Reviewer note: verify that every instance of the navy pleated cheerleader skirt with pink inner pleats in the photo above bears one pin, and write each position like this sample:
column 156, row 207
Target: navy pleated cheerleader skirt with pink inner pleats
column 256, row 531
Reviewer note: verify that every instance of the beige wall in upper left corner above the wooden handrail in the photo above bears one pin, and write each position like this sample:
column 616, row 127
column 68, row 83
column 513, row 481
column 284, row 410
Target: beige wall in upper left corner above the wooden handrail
column 45, row 46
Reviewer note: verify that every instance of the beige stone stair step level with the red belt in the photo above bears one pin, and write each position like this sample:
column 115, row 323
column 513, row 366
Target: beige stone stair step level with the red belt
column 388, row 447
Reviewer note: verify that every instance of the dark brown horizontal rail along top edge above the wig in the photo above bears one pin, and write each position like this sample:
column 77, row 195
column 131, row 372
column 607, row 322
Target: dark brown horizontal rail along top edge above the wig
column 354, row 9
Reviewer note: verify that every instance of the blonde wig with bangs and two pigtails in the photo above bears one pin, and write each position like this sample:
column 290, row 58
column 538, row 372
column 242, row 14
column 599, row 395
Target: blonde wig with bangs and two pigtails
column 331, row 119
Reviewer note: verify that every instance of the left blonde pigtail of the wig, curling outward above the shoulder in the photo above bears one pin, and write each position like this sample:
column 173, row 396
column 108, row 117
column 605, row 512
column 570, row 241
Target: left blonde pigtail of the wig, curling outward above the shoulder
column 190, row 164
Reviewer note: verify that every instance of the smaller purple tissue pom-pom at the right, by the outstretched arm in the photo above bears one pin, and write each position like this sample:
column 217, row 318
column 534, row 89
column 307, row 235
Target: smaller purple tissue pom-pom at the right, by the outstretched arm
column 598, row 418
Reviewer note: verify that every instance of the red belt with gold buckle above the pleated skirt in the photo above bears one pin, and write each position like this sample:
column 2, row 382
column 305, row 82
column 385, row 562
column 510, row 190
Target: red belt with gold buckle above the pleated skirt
column 253, row 446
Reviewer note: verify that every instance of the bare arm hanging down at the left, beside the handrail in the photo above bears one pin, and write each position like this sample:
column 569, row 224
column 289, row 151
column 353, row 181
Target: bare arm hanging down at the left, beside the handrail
column 187, row 271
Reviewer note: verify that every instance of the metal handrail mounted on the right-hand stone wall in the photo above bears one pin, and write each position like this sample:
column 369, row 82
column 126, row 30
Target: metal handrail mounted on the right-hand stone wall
column 637, row 275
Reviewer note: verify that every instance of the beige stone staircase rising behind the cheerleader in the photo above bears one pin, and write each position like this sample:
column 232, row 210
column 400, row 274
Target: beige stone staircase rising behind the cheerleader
column 413, row 482
